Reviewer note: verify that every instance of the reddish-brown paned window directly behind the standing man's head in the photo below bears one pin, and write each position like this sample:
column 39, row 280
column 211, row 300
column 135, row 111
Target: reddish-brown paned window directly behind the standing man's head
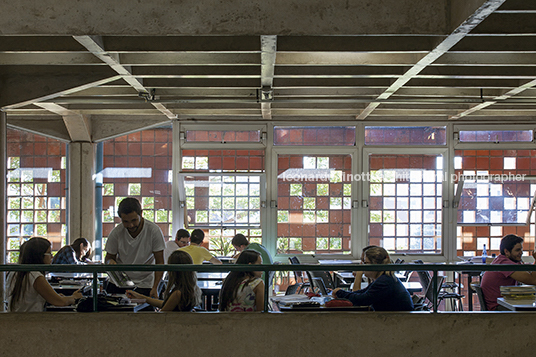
column 138, row 165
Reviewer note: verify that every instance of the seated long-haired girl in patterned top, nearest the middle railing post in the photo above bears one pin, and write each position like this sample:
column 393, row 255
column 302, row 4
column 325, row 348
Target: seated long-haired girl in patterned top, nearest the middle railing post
column 243, row 291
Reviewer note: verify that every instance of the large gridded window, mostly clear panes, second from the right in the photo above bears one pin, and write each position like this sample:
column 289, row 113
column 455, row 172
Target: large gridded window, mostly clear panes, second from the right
column 405, row 210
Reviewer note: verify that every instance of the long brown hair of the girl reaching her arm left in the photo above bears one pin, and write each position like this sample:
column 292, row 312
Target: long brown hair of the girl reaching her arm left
column 184, row 281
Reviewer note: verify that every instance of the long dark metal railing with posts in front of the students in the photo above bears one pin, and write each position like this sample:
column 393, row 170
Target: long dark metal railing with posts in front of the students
column 95, row 269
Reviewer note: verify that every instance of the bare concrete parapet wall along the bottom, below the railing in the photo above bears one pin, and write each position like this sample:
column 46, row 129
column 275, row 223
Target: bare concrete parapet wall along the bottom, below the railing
column 289, row 334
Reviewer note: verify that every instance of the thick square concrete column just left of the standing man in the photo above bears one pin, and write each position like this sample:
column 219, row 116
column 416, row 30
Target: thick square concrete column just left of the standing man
column 81, row 195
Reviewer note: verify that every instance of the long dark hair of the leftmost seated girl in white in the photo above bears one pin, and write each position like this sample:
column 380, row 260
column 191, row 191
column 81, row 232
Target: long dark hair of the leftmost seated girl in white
column 31, row 252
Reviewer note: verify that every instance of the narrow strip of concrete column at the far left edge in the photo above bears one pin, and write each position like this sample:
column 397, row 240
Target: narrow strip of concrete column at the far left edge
column 3, row 199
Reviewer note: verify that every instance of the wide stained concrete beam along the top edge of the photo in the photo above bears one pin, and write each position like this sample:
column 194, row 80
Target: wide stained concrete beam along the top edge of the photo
column 193, row 17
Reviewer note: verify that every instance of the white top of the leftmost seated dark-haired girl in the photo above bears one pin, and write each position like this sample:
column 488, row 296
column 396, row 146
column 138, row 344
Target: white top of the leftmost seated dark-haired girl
column 30, row 300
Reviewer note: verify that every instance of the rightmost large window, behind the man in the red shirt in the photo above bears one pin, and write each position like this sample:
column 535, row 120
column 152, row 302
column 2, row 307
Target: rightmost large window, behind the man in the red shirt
column 496, row 200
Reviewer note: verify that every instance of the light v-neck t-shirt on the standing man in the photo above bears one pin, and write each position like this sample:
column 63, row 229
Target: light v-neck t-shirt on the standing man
column 137, row 250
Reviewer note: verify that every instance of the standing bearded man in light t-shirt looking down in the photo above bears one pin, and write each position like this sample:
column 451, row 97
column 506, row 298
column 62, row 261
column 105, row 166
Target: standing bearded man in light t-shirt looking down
column 136, row 241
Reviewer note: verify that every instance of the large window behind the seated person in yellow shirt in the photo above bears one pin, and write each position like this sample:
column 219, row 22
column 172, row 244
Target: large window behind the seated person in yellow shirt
column 226, row 200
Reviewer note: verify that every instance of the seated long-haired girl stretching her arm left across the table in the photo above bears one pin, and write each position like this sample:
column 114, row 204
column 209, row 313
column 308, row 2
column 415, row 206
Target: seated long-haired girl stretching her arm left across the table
column 182, row 292
